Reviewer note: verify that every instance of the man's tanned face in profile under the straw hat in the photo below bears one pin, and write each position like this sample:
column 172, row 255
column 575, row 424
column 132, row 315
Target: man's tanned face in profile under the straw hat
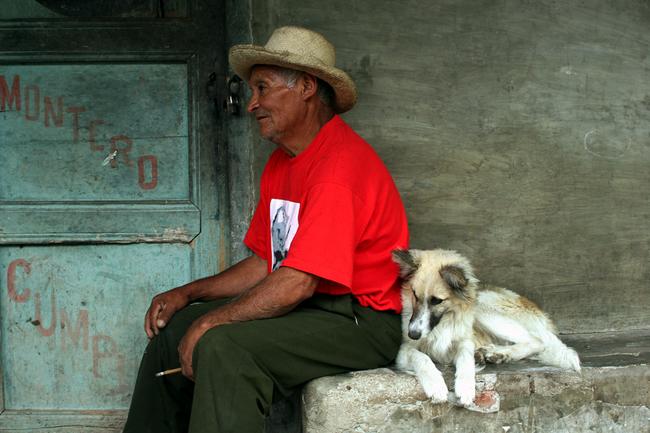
column 276, row 107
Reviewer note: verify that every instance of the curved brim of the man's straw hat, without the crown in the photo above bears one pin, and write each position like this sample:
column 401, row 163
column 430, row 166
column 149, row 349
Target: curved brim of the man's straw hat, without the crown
column 242, row 58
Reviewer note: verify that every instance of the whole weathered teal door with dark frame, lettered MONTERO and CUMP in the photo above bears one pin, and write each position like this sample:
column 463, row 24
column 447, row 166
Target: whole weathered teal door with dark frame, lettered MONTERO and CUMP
column 110, row 191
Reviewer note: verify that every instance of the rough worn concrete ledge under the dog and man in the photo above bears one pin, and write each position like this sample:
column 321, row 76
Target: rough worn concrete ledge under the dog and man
column 612, row 394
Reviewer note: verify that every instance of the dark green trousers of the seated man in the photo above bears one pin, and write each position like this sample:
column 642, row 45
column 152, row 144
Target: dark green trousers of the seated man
column 240, row 368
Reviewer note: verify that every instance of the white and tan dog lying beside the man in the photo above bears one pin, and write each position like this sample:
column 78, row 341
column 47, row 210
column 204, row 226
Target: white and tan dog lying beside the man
column 451, row 318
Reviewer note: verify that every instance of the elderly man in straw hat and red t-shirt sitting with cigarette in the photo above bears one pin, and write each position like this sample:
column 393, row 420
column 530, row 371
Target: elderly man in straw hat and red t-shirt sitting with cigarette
column 319, row 295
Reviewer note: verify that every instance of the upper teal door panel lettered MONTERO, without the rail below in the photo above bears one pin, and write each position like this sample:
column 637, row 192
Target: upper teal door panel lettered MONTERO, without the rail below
column 66, row 119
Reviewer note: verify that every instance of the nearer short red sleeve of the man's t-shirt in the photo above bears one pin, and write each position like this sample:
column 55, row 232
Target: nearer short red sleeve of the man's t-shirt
column 326, row 239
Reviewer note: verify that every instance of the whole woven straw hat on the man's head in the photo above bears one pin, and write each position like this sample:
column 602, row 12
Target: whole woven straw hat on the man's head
column 301, row 49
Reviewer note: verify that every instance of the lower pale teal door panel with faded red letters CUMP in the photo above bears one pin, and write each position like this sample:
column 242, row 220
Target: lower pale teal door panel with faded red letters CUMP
column 72, row 320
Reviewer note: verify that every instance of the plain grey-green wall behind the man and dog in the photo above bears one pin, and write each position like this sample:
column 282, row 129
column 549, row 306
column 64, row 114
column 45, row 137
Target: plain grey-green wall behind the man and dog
column 517, row 131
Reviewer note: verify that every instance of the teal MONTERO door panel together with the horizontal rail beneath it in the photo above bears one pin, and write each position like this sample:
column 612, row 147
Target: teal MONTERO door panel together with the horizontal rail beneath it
column 91, row 151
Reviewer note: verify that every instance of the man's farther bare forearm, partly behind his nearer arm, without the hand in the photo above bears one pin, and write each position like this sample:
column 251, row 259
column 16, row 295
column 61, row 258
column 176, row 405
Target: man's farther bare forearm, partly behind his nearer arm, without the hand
column 229, row 283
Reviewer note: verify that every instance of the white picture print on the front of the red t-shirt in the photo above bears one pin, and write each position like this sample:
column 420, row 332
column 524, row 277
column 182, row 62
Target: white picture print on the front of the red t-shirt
column 284, row 225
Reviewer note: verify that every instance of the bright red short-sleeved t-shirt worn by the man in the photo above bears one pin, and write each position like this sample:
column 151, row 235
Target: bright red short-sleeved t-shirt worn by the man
column 333, row 211
